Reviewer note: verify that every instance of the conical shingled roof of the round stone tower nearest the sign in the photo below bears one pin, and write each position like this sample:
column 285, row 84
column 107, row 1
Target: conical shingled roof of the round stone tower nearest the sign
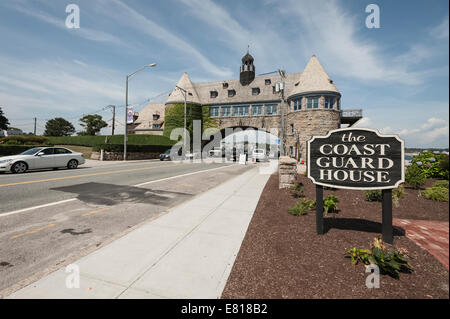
column 314, row 79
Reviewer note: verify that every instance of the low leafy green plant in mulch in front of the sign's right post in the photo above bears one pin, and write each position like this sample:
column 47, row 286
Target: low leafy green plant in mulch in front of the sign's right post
column 390, row 262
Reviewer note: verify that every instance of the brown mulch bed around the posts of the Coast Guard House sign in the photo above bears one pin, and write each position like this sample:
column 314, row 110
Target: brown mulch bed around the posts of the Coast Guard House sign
column 283, row 257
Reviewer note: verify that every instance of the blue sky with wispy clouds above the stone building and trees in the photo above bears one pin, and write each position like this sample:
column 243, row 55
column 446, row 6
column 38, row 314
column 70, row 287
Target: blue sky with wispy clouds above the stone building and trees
column 398, row 74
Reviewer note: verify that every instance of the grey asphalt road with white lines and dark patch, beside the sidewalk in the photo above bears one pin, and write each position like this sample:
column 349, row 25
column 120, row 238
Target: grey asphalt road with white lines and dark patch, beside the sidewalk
column 49, row 218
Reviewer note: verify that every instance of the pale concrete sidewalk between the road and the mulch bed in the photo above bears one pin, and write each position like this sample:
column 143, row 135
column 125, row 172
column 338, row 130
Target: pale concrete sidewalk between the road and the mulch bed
column 186, row 253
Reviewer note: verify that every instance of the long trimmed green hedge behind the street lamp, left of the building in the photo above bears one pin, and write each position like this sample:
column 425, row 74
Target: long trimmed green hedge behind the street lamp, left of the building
column 138, row 139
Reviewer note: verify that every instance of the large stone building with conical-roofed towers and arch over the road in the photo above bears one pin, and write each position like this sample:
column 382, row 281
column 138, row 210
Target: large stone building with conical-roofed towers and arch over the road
column 312, row 103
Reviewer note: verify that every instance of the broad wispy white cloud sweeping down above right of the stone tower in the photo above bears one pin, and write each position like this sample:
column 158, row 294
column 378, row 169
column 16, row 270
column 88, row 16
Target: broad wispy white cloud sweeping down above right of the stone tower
column 335, row 36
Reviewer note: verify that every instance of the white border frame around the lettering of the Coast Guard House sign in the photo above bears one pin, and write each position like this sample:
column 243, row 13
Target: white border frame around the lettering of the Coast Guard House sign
column 402, row 178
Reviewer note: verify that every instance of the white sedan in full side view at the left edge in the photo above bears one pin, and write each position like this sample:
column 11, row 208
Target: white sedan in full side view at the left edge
column 39, row 158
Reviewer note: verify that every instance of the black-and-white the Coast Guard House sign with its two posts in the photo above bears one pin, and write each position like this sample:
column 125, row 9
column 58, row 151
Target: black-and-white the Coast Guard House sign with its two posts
column 357, row 158
